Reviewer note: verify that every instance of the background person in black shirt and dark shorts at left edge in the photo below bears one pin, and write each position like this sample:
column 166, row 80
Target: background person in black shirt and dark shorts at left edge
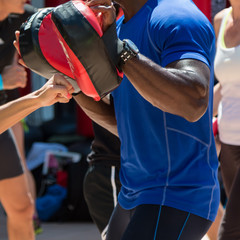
column 15, row 183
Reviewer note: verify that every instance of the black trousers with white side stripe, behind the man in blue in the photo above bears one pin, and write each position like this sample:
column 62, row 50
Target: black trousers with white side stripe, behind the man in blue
column 101, row 187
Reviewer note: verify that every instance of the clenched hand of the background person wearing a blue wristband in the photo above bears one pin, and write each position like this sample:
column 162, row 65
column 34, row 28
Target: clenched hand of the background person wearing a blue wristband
column 14, row 75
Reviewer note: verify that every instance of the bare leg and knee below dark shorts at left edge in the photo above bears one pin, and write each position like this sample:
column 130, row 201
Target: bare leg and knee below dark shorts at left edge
column 19, row 207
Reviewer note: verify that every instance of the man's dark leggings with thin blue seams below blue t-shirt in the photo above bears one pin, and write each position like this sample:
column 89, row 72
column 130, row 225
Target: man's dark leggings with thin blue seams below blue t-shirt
column 155, row 222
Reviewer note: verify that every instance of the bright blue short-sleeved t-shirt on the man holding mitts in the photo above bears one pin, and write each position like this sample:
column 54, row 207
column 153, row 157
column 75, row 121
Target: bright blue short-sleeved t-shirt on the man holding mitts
column 164, row 158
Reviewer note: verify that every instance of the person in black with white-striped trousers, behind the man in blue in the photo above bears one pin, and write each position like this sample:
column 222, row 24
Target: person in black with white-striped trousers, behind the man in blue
column 101, row 183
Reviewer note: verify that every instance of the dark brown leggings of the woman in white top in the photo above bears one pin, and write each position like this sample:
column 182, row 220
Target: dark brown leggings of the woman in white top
column 230, row 162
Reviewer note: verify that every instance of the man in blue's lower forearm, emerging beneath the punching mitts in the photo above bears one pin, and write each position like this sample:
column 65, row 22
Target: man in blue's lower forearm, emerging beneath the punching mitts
column 100, row 112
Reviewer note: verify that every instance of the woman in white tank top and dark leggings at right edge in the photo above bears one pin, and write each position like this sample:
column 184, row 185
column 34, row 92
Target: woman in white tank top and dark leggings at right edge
column 227, row 108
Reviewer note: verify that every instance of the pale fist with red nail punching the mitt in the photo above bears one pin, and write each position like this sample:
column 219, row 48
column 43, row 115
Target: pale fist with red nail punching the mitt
column 56, row 89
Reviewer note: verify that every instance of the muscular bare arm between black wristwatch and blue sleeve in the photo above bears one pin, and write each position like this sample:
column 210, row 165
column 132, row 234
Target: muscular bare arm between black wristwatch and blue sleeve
column 175, row 89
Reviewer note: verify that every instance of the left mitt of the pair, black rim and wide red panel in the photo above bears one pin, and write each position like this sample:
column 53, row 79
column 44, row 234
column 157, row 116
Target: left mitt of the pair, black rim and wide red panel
column 40, row 48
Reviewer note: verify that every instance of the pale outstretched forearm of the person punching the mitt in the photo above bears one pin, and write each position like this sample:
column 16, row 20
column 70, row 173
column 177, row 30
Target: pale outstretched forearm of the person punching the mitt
column 14, row 111
